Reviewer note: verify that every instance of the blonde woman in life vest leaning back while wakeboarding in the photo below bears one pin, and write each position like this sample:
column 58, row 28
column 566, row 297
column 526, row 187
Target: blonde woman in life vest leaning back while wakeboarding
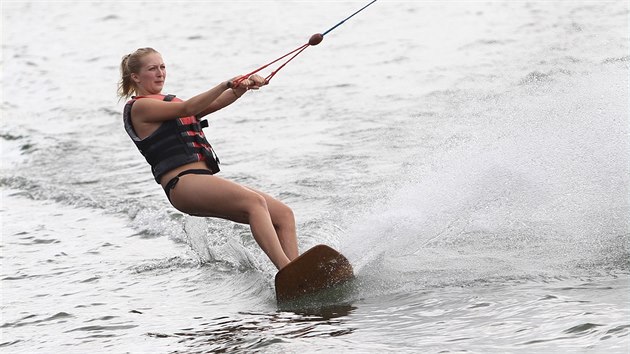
column 168, row 133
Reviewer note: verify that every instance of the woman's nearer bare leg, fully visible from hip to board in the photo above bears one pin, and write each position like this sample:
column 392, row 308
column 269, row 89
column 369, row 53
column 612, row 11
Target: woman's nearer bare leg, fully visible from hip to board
column 212, row 196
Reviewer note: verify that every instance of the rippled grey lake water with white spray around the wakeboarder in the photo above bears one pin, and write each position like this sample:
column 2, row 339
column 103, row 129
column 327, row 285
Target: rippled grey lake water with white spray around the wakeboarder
column 471, row 159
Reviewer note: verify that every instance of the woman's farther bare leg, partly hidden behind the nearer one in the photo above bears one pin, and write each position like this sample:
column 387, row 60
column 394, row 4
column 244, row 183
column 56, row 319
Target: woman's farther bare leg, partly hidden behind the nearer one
column 284, row 222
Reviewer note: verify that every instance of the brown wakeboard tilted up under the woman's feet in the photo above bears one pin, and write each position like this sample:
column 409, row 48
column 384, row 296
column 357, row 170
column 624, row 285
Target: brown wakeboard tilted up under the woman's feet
column 319, row 268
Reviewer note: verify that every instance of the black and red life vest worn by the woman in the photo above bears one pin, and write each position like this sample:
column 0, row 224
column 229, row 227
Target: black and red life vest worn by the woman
column 175, row 143
